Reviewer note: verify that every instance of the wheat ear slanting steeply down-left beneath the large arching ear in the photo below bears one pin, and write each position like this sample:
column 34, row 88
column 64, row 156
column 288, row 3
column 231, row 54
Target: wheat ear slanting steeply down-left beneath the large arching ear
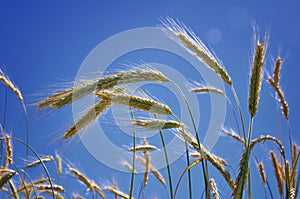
column 87, row 118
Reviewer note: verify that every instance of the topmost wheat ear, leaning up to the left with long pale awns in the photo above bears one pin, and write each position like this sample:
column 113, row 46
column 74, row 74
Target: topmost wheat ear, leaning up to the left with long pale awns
column 195, row 46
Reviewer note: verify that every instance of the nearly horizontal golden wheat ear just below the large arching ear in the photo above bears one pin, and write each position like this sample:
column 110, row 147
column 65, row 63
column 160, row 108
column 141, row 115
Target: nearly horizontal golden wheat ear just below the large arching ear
column 136, row 102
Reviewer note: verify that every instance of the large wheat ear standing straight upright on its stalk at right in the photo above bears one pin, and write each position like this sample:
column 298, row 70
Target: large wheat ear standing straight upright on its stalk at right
column 256, row 78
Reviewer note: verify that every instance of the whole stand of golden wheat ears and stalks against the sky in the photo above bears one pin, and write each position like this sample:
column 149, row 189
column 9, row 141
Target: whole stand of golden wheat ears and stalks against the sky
column 112, row 89
